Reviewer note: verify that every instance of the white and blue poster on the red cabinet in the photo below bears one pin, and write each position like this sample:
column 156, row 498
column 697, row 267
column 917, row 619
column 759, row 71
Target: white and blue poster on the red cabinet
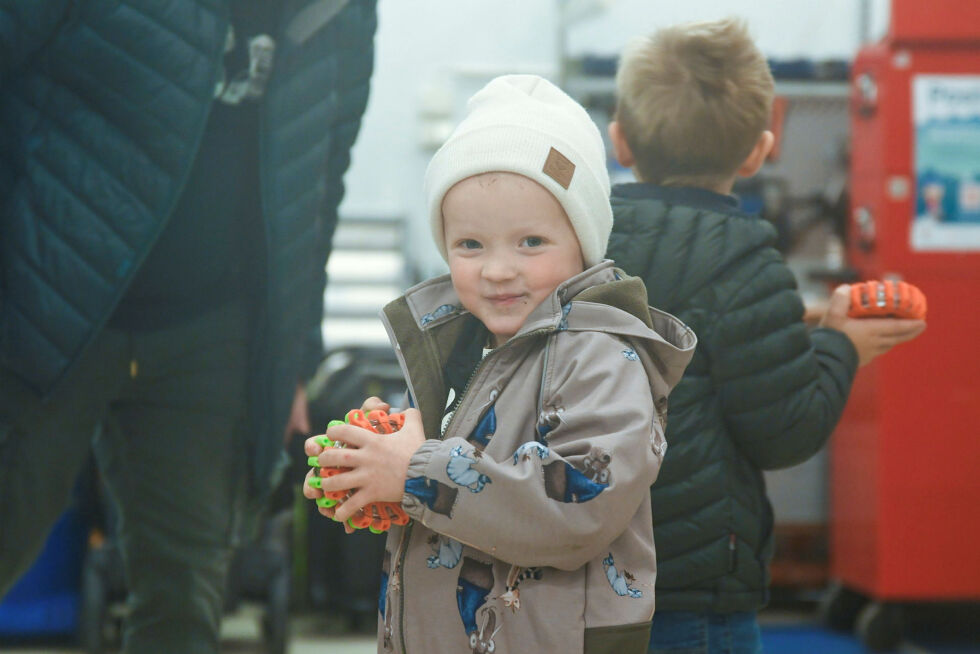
column 946, row 119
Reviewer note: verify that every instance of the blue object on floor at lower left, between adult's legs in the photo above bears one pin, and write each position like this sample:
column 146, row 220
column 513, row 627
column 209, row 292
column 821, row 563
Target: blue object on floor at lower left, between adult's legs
column 45, row 600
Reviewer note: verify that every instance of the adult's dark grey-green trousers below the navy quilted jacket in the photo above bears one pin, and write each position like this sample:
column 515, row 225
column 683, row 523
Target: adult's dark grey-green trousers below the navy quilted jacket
column 172, row 456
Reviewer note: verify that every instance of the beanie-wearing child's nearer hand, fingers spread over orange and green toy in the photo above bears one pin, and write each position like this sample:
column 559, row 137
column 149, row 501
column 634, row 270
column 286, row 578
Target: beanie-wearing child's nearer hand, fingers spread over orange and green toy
column 378, row 463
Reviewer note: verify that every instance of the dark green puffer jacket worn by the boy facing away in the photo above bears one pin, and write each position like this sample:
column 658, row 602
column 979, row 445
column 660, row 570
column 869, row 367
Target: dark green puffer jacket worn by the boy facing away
column 761, row 392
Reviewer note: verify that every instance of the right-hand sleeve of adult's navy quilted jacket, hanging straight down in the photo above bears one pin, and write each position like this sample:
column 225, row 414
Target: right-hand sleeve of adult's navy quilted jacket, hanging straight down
column 354, row 65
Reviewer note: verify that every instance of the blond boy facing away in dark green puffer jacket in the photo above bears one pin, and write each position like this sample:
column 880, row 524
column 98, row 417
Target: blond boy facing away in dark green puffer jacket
column 761, row 392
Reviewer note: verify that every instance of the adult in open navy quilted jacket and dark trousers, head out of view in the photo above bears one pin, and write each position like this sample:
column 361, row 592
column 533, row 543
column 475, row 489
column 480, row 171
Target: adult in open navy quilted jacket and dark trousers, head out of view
column 170, row 172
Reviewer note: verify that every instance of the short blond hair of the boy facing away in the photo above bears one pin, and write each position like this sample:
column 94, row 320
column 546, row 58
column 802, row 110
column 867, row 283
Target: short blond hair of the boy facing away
column 693, row 100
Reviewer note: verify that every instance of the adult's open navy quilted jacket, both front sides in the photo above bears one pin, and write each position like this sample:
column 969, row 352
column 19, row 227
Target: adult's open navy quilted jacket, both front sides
column 102, row 107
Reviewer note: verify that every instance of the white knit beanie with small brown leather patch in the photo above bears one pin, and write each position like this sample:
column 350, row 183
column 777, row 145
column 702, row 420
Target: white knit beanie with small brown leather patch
column 524, row 124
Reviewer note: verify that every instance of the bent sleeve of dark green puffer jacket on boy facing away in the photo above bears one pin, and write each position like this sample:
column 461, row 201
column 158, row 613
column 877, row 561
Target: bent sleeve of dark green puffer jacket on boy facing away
column 782, row 389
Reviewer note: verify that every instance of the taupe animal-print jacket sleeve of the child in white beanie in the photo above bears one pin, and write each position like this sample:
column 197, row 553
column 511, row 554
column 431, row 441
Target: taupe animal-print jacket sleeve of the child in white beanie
column 559, row 503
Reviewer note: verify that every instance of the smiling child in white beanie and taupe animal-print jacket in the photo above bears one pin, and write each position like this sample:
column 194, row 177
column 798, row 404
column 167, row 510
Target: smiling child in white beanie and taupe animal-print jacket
column 540, row 376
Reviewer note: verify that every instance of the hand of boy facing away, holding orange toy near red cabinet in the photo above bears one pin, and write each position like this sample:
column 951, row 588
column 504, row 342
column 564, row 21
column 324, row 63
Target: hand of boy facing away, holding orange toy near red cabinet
column 871, row 336
